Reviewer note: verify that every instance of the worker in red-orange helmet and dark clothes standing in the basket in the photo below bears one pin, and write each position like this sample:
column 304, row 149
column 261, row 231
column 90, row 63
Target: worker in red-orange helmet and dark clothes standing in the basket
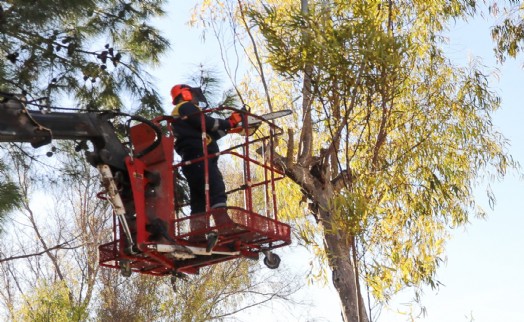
column 188, row 144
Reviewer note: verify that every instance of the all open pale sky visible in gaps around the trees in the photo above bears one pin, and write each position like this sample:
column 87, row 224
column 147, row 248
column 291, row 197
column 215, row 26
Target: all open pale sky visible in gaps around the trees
column 482, row 276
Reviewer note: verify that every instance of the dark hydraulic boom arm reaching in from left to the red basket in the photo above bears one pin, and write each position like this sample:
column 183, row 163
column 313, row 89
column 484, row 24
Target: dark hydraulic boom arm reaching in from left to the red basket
column 109, row 155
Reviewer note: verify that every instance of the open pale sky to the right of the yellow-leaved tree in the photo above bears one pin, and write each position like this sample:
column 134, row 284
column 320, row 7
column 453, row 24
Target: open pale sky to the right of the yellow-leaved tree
column 483, row 275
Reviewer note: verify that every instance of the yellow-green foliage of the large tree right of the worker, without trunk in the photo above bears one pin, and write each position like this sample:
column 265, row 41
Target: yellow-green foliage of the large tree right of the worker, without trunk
column 380, row 66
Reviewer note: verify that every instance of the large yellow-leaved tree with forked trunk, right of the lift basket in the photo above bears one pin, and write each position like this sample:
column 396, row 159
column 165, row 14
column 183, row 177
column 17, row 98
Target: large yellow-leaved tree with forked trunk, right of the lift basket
column 393, row 137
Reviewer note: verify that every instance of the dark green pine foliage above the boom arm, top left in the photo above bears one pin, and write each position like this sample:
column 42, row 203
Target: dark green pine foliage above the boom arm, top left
column 90, row 51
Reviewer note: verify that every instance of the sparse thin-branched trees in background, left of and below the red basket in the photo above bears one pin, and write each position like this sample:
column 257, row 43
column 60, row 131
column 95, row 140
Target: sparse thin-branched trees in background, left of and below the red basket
column 49, row 268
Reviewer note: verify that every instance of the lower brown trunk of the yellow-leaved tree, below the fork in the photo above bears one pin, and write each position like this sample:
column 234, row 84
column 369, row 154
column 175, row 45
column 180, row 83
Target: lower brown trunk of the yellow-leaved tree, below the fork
column 338, row 248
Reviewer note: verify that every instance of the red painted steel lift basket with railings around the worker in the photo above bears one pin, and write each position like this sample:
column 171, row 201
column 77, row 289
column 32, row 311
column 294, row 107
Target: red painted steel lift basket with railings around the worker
column 159, row 219
